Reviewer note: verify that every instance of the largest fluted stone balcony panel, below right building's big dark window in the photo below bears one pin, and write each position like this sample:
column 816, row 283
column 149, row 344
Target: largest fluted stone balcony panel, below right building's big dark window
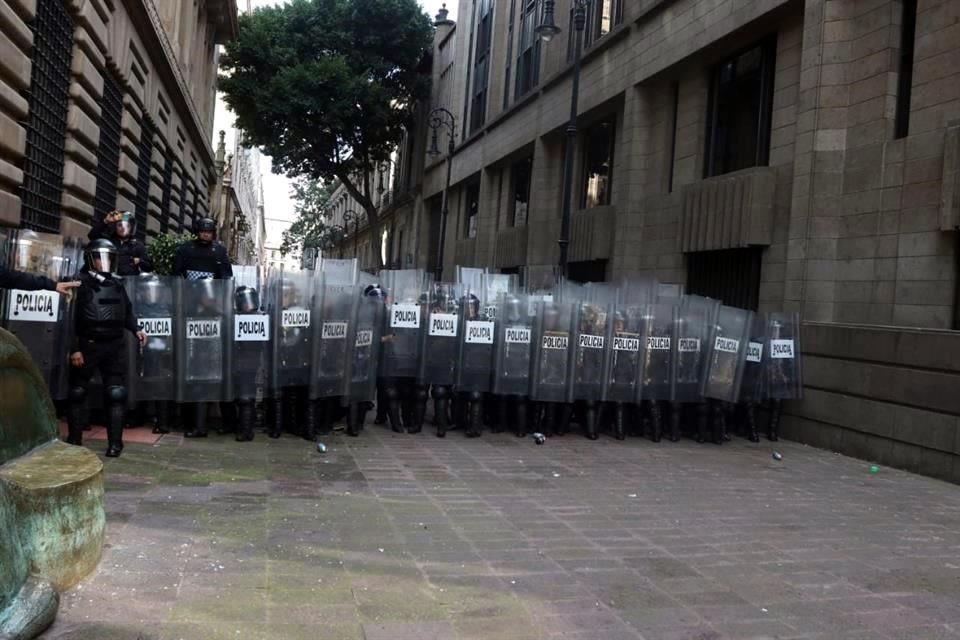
column 728, row 212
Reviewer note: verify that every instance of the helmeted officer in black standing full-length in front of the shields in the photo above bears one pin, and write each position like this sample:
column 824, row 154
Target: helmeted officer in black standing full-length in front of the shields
column 103, row 311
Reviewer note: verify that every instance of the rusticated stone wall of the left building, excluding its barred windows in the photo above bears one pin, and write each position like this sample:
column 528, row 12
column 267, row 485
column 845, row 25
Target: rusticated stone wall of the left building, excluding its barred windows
column 166, row 79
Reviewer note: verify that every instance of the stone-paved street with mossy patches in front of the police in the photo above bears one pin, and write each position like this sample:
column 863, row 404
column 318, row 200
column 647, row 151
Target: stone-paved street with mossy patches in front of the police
column 391, row 537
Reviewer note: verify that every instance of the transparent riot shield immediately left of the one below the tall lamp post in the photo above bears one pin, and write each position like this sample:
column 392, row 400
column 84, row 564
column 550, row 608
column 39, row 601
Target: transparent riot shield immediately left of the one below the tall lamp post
column 513, row 348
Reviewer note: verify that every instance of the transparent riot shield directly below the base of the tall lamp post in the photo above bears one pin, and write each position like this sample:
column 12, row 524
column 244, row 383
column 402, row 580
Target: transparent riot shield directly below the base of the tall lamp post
column 553, row 351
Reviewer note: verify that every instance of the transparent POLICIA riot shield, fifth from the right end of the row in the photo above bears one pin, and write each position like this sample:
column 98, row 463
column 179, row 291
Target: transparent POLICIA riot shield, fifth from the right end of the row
column 659, row 351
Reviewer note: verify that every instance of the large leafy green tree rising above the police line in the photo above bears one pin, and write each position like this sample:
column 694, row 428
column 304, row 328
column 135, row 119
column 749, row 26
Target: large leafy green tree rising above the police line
column 328, row 87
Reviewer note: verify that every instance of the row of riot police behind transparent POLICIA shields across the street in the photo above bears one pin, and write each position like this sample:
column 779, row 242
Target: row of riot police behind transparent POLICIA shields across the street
column 315, row 348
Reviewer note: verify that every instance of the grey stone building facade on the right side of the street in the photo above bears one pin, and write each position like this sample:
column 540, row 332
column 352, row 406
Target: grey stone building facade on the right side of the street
column 776, row 154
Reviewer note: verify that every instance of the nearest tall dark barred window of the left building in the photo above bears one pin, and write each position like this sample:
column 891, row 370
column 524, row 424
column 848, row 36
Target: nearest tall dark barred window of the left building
column 42, row 188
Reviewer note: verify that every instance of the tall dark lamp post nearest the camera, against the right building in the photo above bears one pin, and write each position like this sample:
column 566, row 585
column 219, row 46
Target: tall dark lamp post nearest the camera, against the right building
column 547, row 29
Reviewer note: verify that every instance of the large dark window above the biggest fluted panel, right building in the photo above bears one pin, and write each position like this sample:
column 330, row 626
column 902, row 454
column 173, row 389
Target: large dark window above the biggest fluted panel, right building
column 741, row 102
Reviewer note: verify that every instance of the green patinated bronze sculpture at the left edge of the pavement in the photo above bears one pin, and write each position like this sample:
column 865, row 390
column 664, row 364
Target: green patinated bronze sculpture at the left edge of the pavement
column 51, row 501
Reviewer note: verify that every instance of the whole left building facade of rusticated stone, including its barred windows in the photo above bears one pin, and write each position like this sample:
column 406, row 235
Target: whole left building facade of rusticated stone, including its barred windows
column 108, row 104
